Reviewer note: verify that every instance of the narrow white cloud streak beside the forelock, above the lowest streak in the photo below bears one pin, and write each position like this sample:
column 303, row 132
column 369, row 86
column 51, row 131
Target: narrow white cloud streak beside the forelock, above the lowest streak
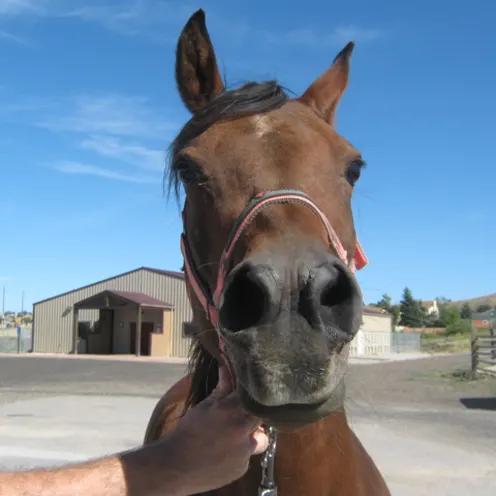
column 132, row 153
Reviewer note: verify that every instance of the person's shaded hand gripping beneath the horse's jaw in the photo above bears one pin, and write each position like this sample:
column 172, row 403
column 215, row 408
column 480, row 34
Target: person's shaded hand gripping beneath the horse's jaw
column 212, row 444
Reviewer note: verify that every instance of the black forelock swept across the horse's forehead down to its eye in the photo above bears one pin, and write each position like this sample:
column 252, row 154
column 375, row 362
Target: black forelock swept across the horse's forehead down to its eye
column 249, row 99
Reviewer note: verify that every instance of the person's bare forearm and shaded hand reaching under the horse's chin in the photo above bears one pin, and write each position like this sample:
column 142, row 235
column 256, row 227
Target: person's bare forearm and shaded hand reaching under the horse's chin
column 210, row 447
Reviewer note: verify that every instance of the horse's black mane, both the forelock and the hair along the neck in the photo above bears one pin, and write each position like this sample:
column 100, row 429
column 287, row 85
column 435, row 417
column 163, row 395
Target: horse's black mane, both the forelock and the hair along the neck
column 249, row 99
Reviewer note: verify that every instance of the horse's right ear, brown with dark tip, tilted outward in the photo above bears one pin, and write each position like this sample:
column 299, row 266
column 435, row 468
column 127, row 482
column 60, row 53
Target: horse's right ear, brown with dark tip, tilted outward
column 324, row 94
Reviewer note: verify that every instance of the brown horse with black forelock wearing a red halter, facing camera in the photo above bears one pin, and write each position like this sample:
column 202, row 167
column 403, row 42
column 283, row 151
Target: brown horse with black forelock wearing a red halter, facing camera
column 270, row 251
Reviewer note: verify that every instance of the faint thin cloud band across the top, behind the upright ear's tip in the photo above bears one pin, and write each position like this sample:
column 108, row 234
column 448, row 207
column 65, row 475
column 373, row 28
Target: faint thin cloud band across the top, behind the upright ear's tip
column 152, row 19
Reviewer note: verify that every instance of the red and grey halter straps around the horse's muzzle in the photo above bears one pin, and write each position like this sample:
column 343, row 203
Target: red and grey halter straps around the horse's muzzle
column 262, row 200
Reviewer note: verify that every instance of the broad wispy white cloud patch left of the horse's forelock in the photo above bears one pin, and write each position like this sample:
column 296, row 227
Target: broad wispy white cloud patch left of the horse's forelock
column 122, row 130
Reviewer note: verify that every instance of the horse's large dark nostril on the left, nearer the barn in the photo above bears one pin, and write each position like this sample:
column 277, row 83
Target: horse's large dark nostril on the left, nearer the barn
column 249, row 298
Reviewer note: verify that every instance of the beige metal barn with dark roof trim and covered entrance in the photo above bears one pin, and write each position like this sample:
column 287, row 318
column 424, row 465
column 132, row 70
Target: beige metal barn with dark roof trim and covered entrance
column 143, row 312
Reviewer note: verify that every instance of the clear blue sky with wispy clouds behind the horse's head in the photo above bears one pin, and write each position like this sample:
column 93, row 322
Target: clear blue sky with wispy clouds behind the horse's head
column 88, row 106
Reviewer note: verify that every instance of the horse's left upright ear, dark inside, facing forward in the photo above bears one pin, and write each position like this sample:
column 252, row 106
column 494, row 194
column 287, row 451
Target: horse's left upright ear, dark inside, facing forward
column 197, row 75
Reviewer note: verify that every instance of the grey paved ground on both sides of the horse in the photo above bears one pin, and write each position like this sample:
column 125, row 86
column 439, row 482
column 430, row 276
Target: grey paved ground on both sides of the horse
column 408, row 414
